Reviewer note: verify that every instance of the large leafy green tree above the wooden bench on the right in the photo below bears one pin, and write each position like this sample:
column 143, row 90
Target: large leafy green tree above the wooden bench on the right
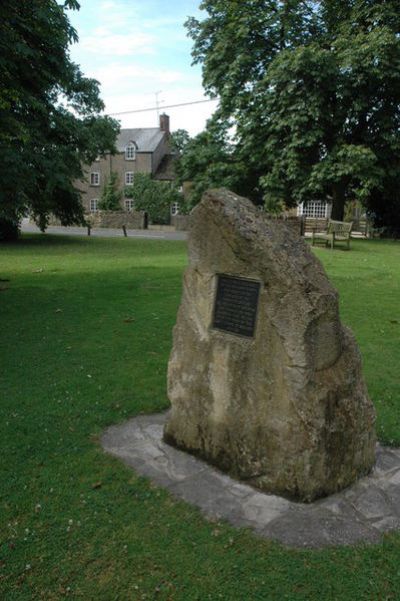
column 314, row 91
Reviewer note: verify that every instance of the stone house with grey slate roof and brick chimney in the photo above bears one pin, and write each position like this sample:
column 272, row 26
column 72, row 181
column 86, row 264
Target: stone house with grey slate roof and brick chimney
column 139, row 150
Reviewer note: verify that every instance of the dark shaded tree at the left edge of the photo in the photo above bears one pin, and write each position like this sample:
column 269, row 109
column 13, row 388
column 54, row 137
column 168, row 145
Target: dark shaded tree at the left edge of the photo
column 50, row 123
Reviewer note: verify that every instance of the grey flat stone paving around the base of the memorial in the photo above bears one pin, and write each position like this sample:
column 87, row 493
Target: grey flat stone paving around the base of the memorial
column 361, row 513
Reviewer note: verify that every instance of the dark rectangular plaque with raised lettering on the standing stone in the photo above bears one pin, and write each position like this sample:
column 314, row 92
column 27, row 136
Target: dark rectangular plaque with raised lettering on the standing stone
column 235, row 308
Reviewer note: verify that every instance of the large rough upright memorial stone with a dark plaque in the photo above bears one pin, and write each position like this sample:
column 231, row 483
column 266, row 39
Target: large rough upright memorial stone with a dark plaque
column 264, row 380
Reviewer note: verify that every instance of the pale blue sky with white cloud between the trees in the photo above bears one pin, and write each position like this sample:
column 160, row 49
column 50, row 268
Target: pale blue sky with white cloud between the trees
column 136, row 48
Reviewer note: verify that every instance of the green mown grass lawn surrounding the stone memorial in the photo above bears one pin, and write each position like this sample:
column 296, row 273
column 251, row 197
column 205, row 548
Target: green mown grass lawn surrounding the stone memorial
column 84, row 343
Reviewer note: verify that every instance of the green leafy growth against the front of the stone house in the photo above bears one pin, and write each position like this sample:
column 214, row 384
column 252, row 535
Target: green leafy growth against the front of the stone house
column 153, row 196
